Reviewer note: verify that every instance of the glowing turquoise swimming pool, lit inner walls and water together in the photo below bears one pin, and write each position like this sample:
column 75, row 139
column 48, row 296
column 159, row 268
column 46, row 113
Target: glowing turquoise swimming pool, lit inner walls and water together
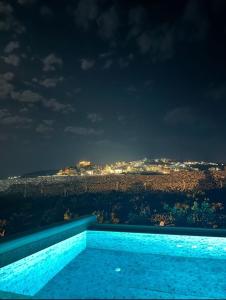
column 99, row 264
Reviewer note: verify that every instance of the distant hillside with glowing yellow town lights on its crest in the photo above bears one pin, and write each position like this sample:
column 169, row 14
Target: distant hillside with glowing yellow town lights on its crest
column 142, row 175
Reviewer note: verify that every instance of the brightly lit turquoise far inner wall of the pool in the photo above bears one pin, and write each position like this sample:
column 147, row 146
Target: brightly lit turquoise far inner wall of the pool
column 159, row 244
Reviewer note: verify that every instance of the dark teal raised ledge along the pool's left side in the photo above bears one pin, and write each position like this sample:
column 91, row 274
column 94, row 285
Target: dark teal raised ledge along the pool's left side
column 11, row 251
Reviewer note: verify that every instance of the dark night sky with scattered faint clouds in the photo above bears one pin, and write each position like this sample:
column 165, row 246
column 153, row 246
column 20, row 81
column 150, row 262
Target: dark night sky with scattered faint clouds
column 110, row 80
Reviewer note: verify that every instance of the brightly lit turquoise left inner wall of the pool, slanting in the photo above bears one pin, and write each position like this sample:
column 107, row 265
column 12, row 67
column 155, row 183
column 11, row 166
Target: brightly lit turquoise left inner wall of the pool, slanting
column 30, row 274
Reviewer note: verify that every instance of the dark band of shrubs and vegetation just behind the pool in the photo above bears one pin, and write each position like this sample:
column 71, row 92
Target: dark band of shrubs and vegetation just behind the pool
column 199, row 209
